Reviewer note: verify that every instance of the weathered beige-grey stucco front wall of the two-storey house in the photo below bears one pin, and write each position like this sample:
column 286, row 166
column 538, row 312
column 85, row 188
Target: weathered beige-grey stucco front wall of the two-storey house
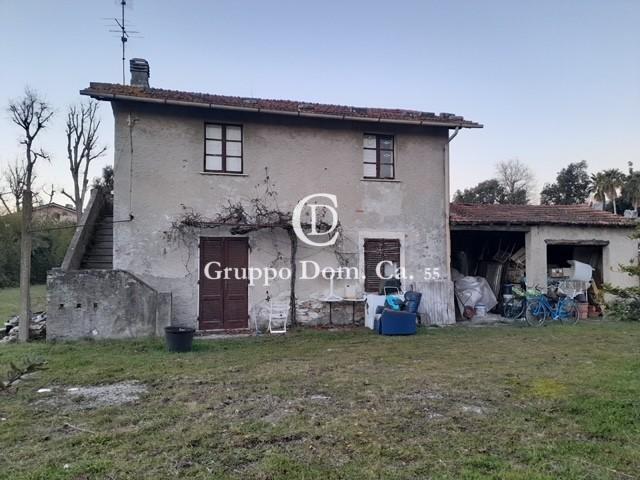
column 159, row 167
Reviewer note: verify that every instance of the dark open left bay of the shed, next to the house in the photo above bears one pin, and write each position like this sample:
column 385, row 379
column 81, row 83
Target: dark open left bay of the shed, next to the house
column 497, row 255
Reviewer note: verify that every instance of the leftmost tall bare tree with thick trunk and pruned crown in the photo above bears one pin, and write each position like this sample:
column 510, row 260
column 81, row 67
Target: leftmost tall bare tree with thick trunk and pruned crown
column 32, row 114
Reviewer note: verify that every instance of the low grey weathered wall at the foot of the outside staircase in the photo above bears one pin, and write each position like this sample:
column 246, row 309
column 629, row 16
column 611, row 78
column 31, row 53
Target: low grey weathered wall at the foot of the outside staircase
column 103, row 304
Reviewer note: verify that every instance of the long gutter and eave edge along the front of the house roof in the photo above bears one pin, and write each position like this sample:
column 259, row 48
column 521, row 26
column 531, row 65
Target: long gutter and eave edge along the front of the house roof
column 110, row 97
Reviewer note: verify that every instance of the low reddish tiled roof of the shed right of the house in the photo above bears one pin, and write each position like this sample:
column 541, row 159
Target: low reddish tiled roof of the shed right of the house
column 482, row 214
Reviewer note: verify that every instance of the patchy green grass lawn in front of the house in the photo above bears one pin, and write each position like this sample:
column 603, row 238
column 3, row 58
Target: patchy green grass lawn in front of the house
column 501, row 403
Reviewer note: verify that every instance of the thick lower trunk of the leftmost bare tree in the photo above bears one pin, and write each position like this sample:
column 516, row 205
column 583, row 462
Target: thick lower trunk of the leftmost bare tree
column 25, row 268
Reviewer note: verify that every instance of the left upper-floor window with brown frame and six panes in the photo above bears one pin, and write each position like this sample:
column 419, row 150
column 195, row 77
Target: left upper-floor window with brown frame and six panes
column 223, row 148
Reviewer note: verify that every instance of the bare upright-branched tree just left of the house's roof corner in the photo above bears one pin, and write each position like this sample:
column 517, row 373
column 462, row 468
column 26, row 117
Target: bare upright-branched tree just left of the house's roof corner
column 82, row 148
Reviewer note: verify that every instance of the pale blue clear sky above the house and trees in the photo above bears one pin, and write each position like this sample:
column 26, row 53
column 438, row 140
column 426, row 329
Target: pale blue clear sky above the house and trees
column 552, row 81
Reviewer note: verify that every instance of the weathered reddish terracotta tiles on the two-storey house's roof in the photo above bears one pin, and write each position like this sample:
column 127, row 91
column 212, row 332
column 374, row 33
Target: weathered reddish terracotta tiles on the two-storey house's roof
column 111, row 91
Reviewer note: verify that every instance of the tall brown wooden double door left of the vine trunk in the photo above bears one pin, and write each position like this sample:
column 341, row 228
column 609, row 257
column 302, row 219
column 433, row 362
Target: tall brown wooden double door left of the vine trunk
column 224, row 303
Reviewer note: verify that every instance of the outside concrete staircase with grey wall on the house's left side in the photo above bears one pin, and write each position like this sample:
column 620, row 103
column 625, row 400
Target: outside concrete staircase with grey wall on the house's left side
column 87, row 298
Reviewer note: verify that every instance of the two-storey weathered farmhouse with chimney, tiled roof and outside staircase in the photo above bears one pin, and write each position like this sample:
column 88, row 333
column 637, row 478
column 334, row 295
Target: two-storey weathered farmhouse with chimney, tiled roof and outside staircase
column 182, row 155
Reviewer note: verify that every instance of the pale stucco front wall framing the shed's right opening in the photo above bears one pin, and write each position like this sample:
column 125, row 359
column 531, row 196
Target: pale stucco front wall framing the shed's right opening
column 621, row 250
